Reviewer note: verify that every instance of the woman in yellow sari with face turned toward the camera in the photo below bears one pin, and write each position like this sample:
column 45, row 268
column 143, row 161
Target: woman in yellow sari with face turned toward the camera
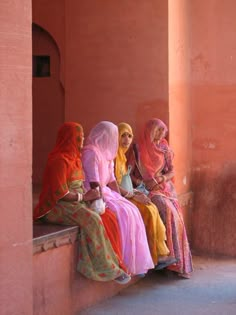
column 155, row 228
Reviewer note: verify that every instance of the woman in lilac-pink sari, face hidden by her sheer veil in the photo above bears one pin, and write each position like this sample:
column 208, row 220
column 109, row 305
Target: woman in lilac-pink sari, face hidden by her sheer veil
column 98, row 155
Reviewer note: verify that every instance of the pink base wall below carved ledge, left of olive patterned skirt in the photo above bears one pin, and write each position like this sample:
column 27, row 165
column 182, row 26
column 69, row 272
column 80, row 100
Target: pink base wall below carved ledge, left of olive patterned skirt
column 52, row 278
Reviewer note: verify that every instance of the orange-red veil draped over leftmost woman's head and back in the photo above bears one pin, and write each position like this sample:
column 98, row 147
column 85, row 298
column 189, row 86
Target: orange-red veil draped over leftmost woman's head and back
column 63, row 166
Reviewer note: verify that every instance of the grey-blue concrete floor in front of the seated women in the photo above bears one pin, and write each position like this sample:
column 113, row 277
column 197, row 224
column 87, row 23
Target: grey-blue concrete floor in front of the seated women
column 211, row 290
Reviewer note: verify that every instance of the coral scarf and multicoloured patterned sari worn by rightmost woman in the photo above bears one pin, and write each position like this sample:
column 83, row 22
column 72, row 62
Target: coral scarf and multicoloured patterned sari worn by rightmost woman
column 164, row 196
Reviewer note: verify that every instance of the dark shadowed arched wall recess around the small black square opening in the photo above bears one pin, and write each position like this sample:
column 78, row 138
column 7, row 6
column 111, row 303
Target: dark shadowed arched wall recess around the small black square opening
column 48, row 93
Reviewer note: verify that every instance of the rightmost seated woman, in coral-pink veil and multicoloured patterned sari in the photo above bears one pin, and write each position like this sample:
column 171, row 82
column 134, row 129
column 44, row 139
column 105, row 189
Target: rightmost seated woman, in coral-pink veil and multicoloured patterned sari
column 155, row 169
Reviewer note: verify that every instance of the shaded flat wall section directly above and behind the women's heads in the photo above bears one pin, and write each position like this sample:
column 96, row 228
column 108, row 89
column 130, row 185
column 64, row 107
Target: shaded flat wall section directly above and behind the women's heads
column 116, row 61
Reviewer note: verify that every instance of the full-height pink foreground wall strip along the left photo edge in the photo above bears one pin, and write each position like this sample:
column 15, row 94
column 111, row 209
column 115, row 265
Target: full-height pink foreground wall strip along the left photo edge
column 16, row 158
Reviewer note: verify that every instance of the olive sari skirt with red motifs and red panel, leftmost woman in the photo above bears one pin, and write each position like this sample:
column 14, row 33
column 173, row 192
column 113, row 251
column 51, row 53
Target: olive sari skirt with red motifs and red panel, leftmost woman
column 96, row 260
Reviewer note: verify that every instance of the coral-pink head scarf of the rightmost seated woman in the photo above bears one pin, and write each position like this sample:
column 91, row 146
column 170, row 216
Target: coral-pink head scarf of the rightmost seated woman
column 151, row 157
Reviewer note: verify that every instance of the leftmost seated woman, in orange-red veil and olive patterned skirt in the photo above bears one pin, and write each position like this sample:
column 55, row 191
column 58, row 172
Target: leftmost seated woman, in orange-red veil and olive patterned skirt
column 63, row 200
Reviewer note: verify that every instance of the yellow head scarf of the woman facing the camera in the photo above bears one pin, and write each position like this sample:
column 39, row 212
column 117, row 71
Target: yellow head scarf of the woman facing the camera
column 120, row 161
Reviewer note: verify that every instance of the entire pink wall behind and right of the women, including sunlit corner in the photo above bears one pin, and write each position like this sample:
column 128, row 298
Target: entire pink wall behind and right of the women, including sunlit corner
column 133, row 61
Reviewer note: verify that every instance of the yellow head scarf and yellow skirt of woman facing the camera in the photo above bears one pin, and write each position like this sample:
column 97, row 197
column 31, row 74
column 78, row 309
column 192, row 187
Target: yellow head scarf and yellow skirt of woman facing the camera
column 155, row 228
